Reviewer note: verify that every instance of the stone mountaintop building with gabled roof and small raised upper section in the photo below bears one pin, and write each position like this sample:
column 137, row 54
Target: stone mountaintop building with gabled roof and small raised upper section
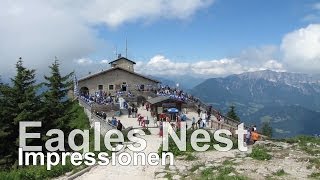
column 120, row 77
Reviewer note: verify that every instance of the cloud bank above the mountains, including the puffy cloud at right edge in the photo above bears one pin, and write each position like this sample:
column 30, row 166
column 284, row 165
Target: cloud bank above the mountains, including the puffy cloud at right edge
column 299, row 51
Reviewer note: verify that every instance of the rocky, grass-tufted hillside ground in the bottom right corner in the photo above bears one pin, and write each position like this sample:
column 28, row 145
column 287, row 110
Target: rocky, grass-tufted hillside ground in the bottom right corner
column 295, row 158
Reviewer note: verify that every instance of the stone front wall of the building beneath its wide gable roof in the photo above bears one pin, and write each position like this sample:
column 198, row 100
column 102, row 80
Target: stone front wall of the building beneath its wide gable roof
column 117, row 78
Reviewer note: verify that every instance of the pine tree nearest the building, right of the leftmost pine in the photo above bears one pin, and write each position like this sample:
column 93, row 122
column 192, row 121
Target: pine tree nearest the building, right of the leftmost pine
column 56, row 103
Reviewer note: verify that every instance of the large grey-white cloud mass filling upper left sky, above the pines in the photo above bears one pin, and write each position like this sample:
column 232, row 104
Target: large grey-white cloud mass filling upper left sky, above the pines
column 40, row 30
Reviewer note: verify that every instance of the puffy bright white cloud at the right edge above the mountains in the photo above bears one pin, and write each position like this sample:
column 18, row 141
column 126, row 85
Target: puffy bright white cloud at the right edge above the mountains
column 301, row 49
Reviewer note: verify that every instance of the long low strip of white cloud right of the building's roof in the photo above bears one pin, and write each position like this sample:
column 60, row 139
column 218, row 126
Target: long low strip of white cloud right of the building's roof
column 160, row 65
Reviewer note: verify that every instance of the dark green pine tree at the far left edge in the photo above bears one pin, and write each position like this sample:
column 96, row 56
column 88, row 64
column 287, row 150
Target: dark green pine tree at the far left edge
column 20, row 104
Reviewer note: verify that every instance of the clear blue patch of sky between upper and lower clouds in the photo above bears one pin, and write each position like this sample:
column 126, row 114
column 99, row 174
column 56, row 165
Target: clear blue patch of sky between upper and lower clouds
column 223, row 29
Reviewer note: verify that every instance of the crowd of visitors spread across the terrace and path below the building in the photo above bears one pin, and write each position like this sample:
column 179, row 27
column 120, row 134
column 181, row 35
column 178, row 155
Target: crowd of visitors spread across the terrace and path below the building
column 204, row 117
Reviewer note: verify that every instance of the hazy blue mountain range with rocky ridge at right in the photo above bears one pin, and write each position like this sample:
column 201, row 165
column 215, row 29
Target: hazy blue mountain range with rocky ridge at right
column 289, row 101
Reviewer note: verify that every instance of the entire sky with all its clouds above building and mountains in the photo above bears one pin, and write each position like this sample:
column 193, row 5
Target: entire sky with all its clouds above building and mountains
column 197, row 37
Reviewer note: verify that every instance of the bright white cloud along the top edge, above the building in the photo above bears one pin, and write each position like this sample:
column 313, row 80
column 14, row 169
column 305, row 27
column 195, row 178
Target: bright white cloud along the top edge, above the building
column 114, row 13
